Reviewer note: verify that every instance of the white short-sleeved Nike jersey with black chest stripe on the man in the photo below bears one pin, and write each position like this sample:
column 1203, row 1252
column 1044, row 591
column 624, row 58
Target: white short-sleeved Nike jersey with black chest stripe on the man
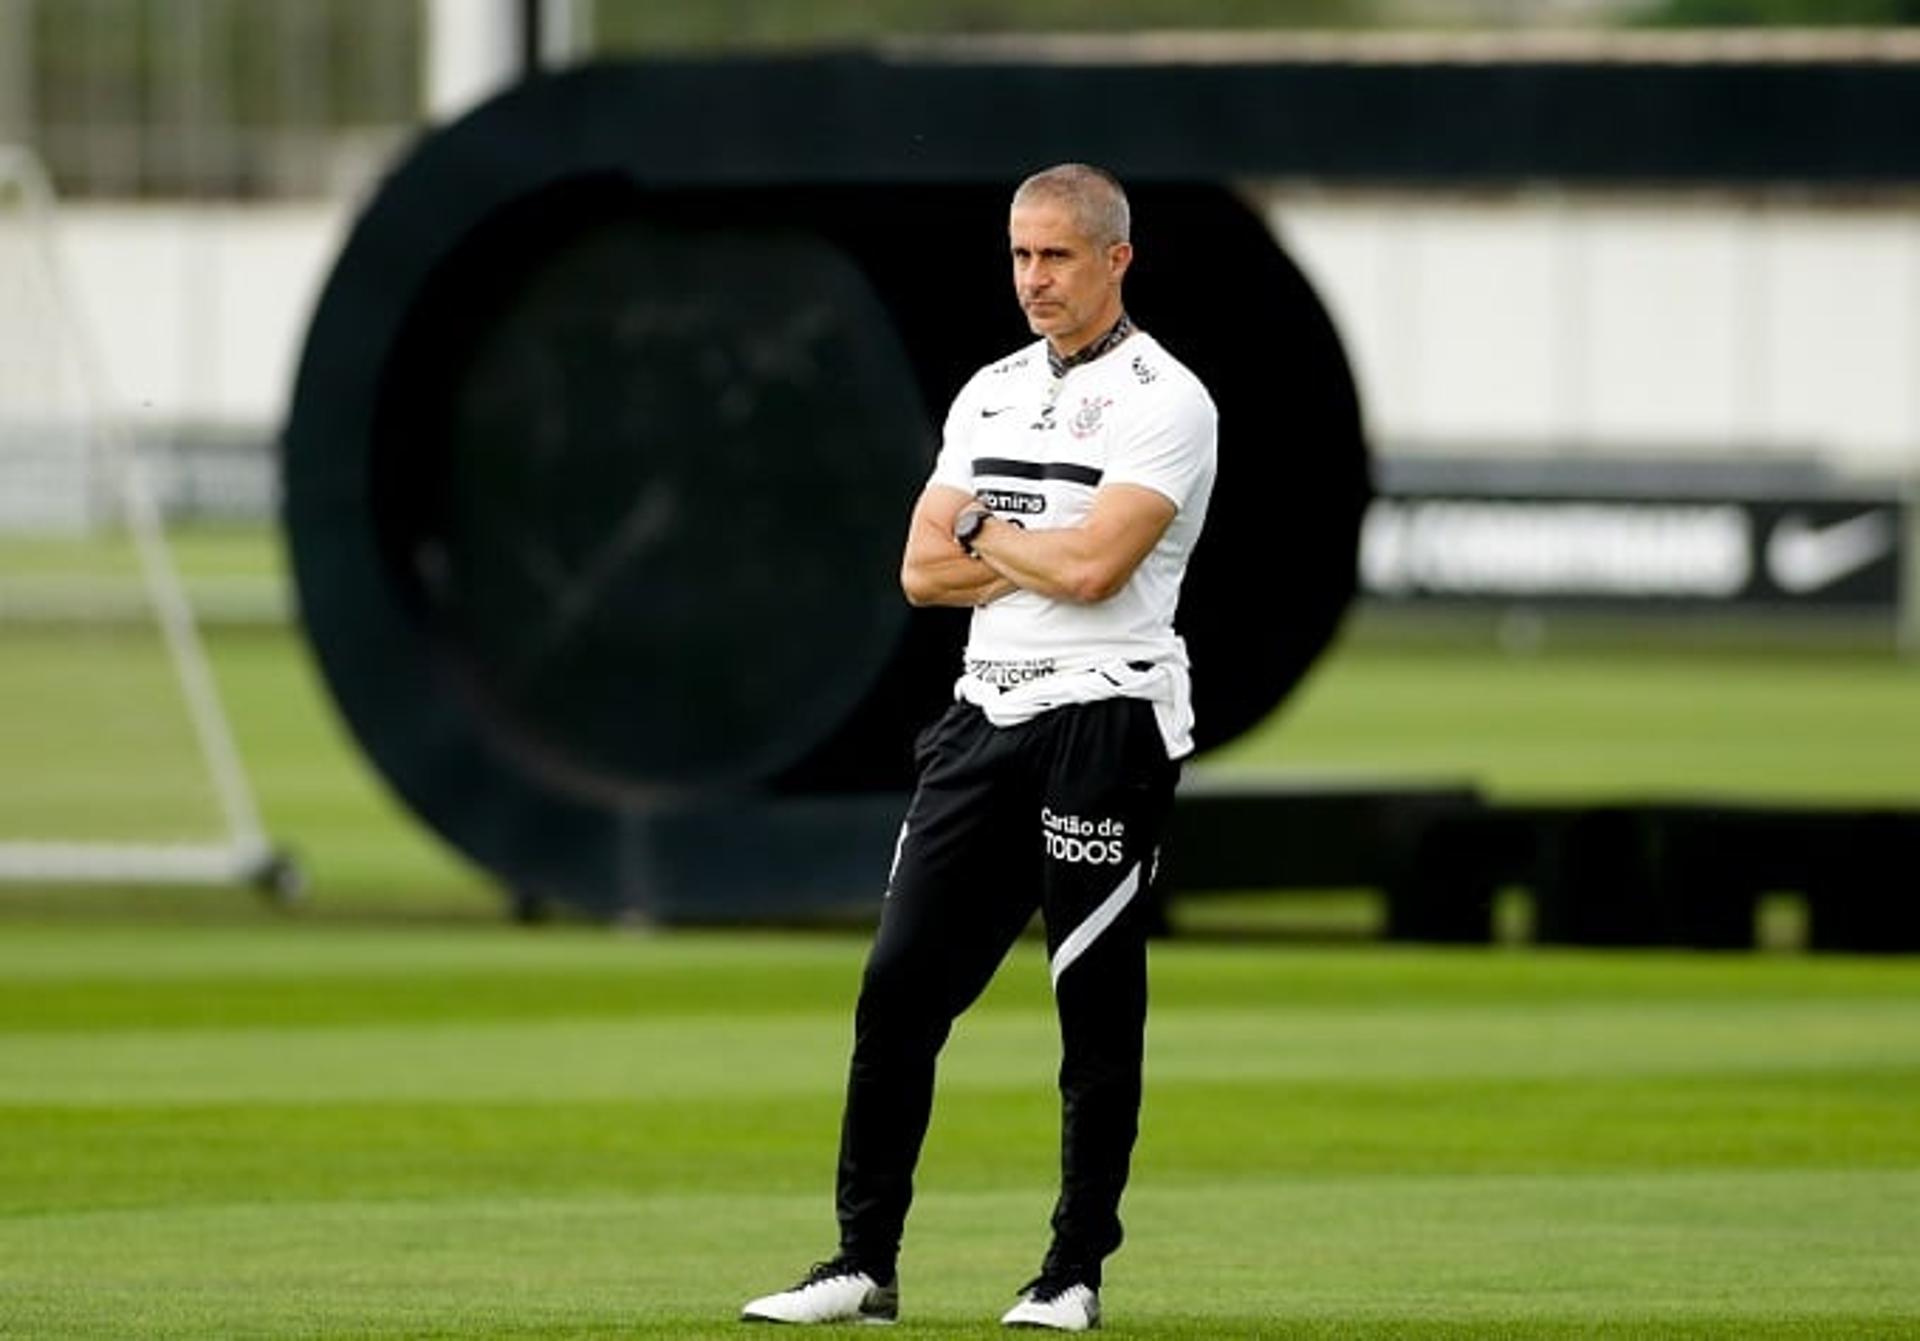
column 1036, row 451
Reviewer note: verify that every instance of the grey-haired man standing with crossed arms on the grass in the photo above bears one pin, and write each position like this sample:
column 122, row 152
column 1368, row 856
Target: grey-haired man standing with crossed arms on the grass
column 1068, row 495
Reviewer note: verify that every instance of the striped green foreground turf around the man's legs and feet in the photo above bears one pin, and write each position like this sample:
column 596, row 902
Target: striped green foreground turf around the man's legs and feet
column 302, row 1131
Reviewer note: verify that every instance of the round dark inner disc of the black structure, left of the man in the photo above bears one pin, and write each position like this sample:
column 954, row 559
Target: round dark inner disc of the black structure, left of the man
column 629, row 462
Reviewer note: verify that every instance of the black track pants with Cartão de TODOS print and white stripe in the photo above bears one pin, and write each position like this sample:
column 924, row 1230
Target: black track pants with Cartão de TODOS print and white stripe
column 1063, row 814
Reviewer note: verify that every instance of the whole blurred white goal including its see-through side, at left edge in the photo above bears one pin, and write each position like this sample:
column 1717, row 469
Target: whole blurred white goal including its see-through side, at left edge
column 124, row 768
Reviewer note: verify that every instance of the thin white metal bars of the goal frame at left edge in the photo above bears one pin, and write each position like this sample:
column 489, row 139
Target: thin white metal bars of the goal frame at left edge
column 247, row 856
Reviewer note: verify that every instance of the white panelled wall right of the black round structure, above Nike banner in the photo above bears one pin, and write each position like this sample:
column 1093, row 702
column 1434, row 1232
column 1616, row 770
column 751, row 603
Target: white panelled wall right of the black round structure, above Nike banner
column 1681, row 324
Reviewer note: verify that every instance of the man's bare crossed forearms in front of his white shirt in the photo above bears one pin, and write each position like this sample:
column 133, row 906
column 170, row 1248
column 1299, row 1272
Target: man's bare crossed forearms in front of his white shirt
column 1082, row 564
